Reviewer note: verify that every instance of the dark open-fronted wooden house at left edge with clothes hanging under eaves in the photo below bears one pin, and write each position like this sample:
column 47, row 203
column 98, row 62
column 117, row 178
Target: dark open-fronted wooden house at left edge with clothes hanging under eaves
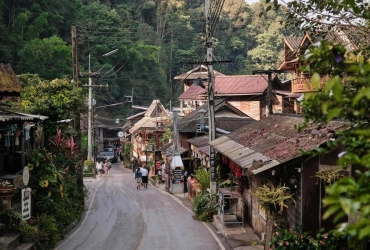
column 18, row 131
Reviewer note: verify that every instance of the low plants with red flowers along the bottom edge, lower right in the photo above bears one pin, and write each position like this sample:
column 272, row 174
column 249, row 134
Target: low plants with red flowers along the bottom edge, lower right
column 293, row 239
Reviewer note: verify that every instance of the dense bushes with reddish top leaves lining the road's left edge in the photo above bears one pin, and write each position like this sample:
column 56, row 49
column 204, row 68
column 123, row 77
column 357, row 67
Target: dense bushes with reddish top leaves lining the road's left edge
column 57, row 193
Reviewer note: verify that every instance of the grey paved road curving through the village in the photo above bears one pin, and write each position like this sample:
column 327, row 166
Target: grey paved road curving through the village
column 119, row 216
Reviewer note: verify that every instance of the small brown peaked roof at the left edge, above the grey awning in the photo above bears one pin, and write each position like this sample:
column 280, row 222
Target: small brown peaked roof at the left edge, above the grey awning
column 8, row 80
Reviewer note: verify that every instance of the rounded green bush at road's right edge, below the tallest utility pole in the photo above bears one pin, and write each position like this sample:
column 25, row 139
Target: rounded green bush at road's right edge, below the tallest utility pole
column 205, row 206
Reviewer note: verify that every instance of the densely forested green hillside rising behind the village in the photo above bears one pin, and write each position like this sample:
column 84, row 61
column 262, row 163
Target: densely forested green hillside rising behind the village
column 156, row 40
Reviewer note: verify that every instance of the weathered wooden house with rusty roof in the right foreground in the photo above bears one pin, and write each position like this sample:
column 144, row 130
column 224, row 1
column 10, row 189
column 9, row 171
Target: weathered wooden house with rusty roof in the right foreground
column 268, row 150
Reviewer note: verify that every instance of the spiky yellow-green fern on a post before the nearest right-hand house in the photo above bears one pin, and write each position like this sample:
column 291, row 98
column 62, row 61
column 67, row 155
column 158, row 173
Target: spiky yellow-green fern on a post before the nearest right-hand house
column 274, row 199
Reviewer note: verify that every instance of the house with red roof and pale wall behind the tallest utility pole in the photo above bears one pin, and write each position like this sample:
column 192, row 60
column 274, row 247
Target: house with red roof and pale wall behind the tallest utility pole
column 248, row 93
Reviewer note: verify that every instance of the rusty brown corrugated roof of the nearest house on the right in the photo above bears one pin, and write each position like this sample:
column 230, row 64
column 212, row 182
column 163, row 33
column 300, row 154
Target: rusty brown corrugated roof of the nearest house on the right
column 273, row 140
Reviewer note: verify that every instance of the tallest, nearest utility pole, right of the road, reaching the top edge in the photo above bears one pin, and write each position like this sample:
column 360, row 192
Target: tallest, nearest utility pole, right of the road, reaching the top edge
column 211, row 104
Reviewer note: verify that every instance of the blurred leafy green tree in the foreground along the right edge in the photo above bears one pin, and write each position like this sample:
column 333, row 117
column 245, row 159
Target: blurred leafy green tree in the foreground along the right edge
column 345, row 96
